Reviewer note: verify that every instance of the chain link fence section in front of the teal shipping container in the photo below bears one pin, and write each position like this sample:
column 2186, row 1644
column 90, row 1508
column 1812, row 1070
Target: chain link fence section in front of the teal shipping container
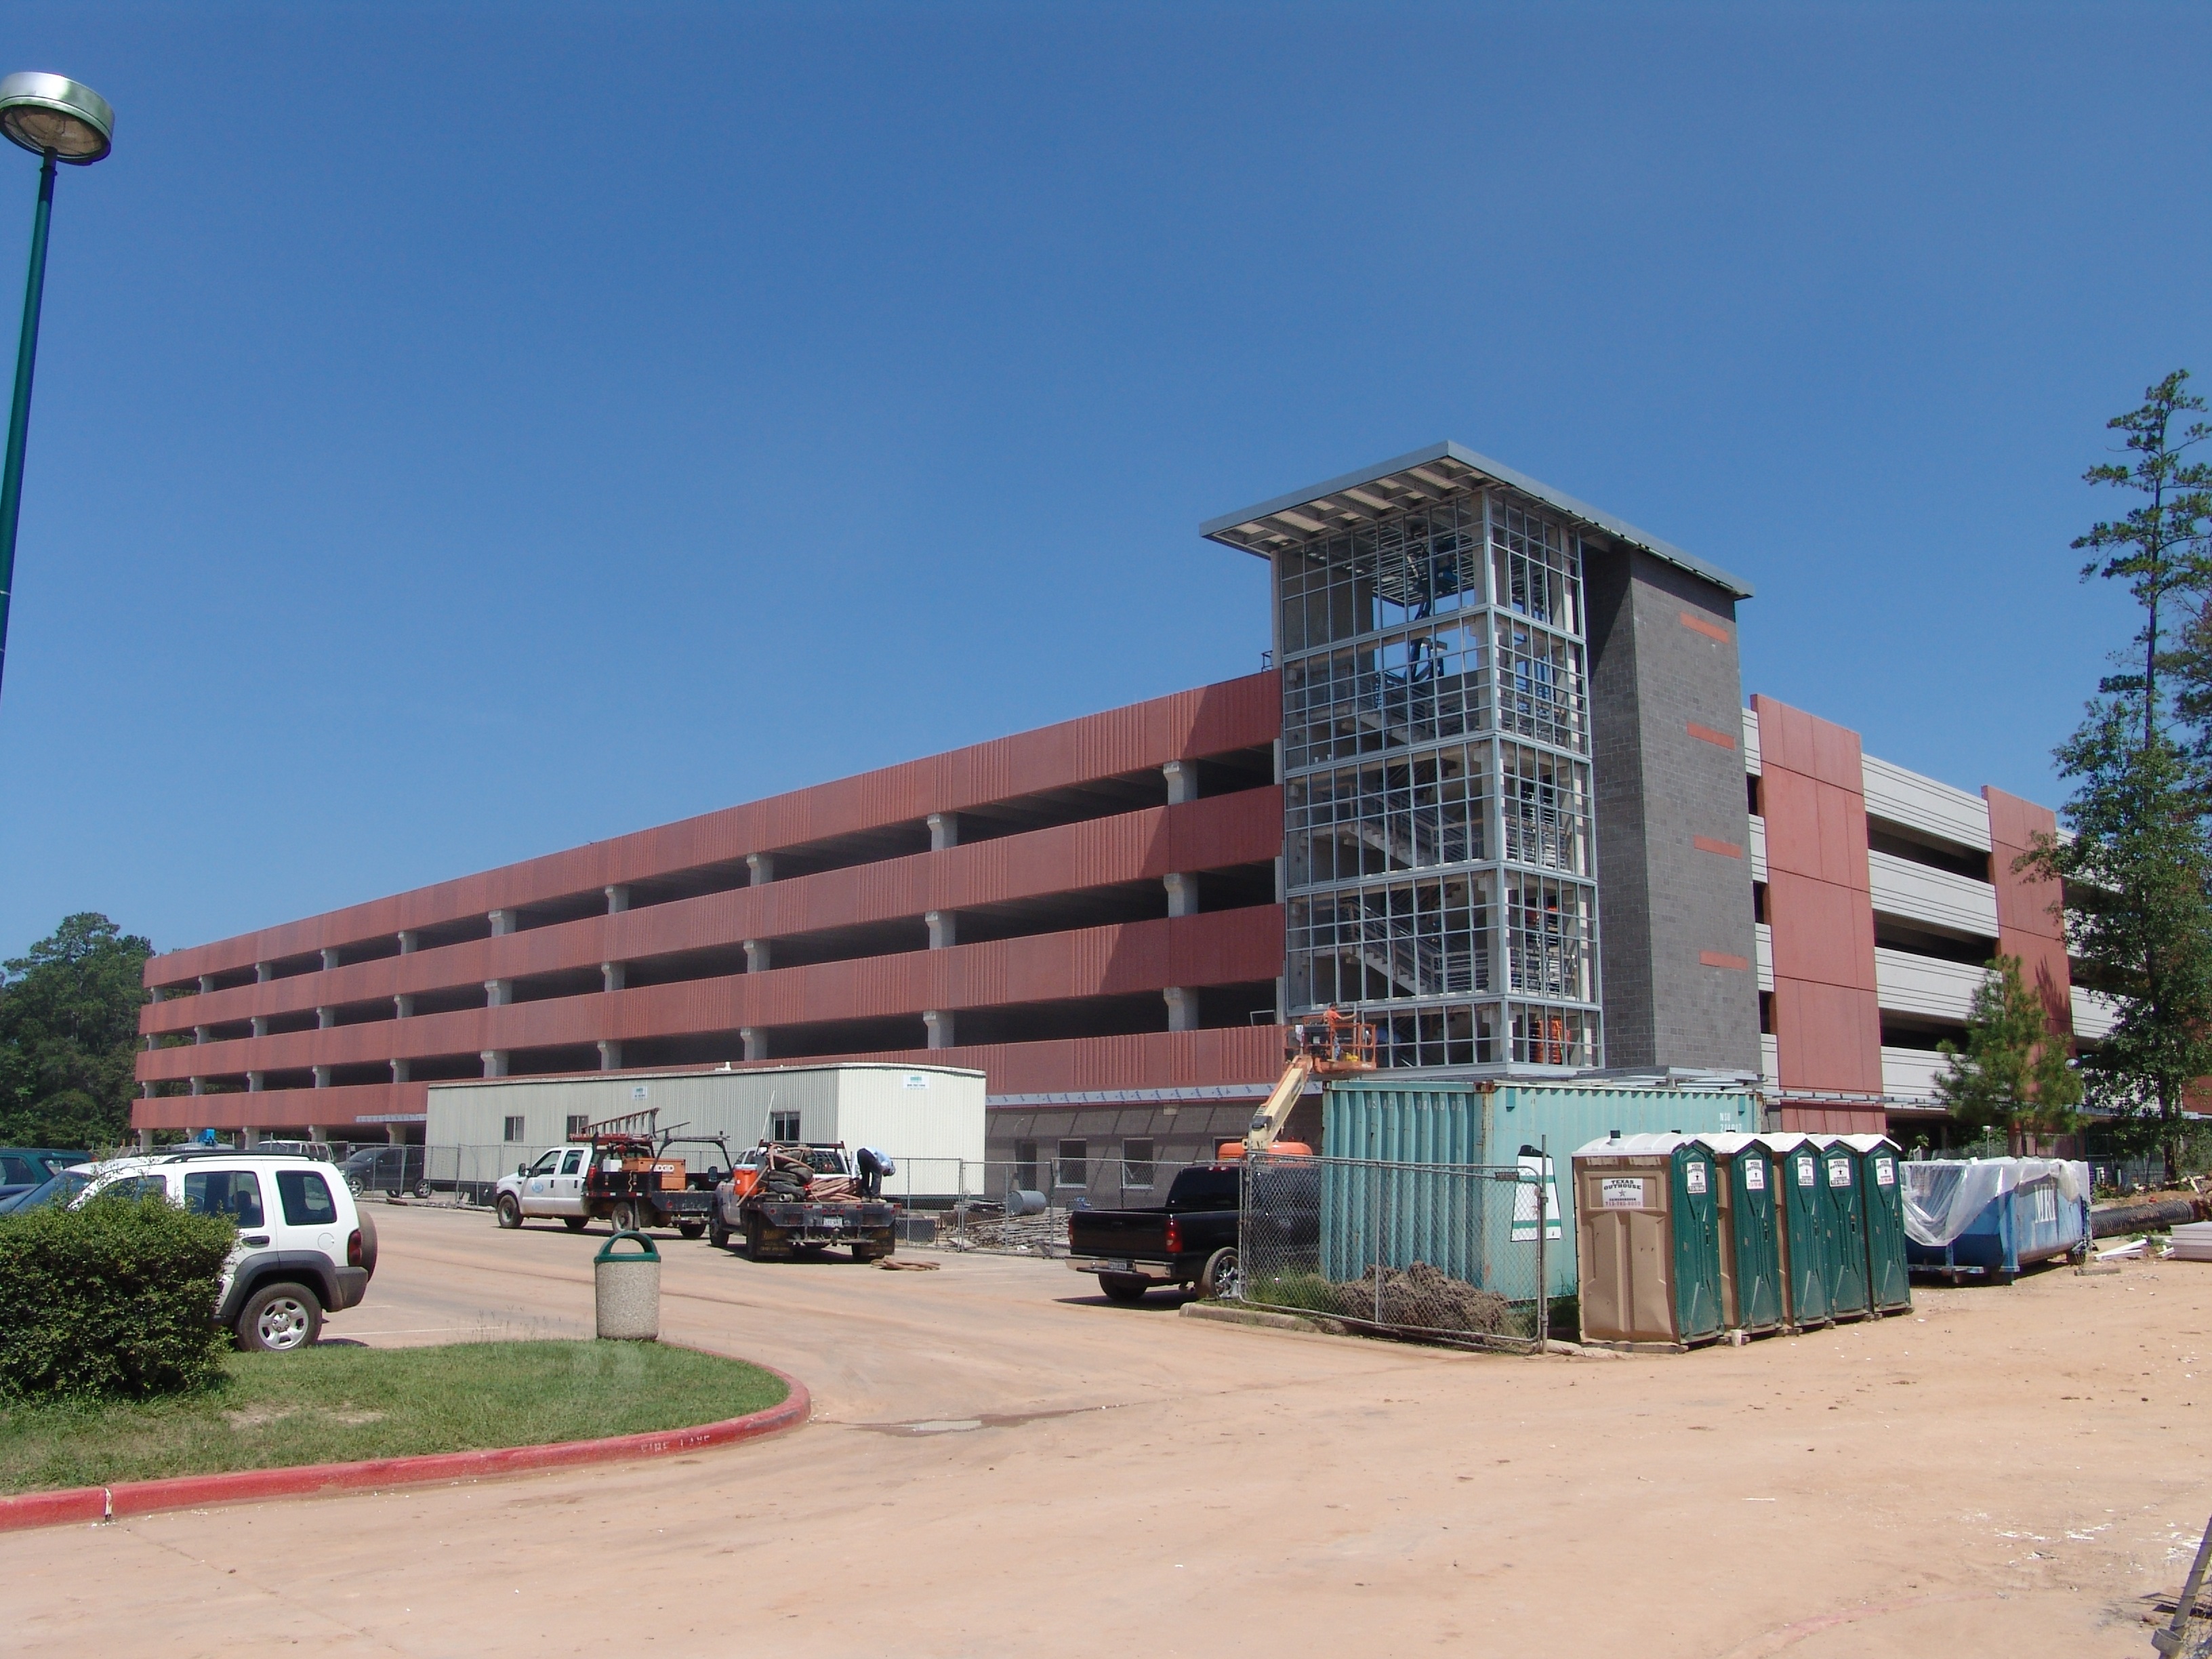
column 1450, row 1253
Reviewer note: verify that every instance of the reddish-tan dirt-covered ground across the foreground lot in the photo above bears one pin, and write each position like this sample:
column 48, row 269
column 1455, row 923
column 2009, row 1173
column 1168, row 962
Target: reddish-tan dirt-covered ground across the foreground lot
column 1001, row 1461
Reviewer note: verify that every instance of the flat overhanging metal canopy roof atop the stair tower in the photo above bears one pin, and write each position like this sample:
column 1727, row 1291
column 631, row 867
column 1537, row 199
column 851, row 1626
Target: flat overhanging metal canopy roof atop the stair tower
column 1426, row 477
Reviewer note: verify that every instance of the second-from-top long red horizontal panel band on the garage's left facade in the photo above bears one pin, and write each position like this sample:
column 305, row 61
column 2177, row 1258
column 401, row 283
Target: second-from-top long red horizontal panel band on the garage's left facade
column 1138, row 846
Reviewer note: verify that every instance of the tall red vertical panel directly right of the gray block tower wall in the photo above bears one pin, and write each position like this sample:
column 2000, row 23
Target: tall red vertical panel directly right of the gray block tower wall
column 1828, row 1019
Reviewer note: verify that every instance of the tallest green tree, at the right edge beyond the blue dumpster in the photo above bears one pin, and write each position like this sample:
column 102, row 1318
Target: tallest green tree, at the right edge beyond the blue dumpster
column 2136, row 868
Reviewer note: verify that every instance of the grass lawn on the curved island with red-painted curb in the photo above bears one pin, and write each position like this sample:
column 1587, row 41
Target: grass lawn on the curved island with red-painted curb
column 344, row 1404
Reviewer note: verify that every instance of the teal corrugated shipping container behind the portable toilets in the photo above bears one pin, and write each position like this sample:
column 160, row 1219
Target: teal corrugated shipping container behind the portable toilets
column 1481, row 1125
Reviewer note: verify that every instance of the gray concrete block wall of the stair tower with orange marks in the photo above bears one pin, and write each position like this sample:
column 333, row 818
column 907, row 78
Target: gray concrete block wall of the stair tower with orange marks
column 1662, row 904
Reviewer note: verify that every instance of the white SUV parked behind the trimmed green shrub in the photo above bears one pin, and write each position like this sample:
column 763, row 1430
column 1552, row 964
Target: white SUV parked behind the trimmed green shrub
column 304, row 1246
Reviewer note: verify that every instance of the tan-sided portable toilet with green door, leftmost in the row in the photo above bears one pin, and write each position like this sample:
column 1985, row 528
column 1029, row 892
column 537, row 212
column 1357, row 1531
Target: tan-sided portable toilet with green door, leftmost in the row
column 1649, row 1240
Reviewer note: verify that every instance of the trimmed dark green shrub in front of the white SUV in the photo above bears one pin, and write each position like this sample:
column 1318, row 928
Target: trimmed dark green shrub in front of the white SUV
column 109, row 1302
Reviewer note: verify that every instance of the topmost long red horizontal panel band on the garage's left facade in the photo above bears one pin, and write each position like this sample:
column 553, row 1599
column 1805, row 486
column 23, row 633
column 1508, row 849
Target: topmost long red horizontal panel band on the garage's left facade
column 1213, row 720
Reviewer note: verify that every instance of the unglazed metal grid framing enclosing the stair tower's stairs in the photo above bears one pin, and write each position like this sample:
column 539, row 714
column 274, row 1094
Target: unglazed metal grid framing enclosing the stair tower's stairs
column 1437, row 771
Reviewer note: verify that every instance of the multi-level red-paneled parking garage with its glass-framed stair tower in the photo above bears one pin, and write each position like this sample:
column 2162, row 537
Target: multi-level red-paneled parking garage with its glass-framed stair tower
column 1492, row 793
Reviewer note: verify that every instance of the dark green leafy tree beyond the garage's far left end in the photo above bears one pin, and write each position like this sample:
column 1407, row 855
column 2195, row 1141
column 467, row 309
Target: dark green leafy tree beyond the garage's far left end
column 70, row 1036
